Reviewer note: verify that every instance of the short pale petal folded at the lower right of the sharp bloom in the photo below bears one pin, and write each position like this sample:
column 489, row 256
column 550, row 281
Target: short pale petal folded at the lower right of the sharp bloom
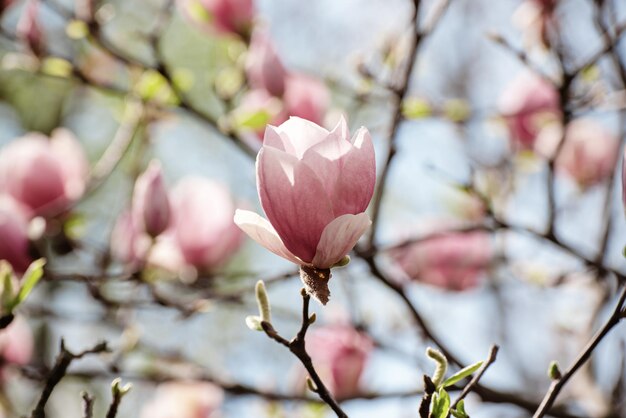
column 339, row 237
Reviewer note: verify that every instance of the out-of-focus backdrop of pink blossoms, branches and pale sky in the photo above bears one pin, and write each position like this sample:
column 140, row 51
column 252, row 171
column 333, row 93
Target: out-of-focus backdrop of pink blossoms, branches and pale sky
column 498, row 216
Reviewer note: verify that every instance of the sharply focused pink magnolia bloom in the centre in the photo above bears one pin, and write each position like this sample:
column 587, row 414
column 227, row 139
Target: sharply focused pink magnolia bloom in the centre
column 314, row 186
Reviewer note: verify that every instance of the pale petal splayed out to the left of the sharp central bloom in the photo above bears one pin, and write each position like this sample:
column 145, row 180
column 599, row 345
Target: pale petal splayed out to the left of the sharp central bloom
column 260, row 230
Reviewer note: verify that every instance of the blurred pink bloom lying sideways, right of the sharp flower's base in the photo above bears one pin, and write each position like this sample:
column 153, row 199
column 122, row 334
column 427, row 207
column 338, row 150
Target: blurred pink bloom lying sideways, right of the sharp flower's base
column 453, row 261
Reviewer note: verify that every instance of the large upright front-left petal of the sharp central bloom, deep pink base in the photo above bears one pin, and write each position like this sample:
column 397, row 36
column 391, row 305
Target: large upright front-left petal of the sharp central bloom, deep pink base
column 294, row 201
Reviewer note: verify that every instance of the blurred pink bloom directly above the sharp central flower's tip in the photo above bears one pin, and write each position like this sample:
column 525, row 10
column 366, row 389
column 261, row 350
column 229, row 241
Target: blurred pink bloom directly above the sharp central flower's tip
column 306, row 97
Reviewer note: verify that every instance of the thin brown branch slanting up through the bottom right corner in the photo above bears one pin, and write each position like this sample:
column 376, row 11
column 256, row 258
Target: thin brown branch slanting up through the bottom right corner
column 558, row 384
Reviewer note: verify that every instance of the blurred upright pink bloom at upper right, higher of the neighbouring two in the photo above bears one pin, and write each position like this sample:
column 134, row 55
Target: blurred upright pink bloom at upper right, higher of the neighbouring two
column 528, row 104
